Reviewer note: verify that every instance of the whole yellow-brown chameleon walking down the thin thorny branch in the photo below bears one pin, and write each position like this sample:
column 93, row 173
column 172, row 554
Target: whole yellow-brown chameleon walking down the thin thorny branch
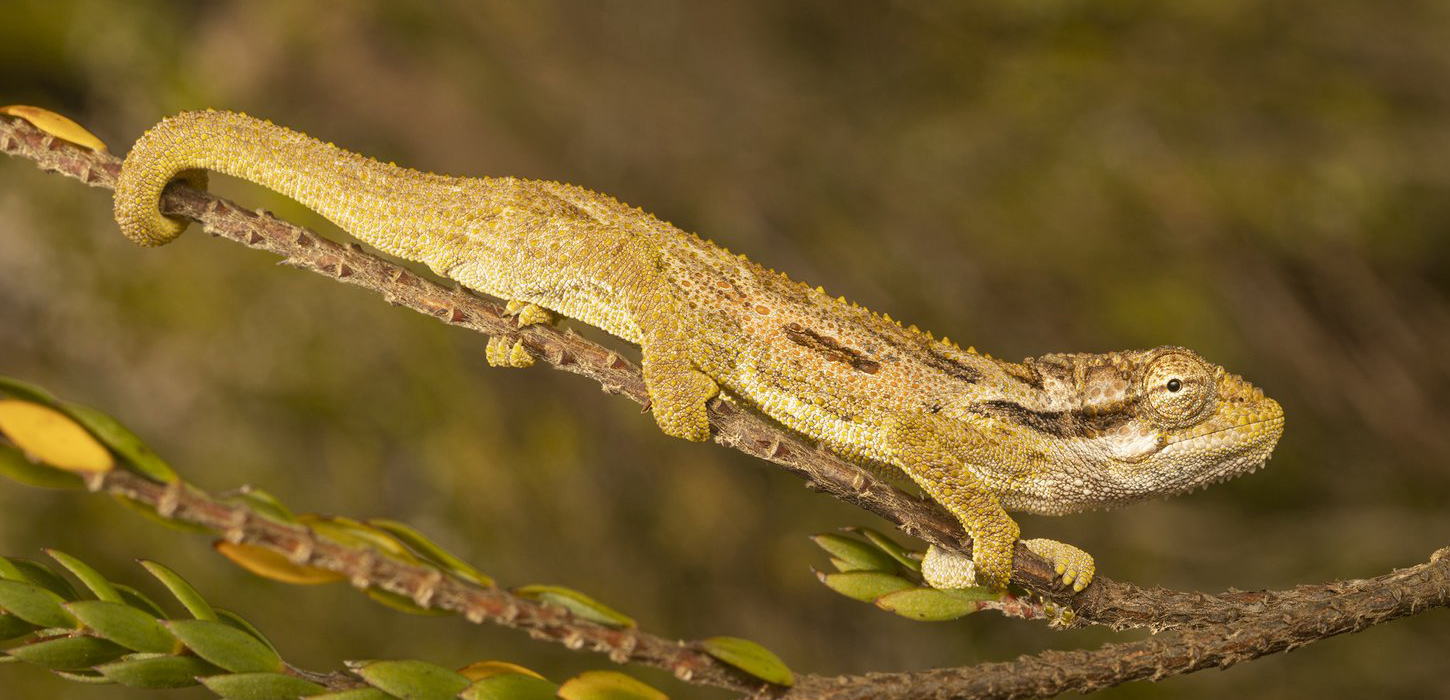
column 1053, row 434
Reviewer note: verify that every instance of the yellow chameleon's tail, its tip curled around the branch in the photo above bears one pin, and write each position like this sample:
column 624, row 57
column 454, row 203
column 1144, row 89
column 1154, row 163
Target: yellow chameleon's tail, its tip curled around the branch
column 382, row 205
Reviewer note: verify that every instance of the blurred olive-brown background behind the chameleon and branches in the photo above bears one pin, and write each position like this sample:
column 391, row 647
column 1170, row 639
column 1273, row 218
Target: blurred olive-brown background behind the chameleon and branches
column 1267, row 182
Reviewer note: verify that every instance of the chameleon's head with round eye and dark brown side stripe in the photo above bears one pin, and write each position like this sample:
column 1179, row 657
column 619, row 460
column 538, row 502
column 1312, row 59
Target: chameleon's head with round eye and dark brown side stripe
column 1152, row 424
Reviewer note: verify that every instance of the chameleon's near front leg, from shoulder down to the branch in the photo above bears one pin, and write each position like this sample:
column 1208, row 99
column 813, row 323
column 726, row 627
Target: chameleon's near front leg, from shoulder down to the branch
column 935, row 456
